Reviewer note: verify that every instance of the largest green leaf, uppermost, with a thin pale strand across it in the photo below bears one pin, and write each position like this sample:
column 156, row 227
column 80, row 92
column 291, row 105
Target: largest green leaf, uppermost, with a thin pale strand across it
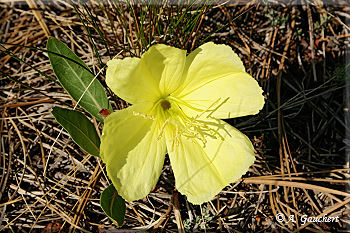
column 76, row 77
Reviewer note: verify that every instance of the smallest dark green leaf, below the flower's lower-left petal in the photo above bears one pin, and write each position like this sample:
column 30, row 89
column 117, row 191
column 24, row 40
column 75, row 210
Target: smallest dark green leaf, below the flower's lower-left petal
column 113, row 205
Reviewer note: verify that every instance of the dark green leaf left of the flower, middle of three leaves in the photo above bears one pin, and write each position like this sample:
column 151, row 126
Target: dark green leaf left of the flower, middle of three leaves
column 80, row 129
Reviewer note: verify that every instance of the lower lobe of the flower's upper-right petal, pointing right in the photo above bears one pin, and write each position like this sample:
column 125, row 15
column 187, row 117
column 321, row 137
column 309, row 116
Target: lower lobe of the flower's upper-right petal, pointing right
column 231, row 96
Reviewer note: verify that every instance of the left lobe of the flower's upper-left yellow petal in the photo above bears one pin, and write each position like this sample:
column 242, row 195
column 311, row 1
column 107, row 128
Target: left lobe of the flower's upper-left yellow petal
column 131, row 80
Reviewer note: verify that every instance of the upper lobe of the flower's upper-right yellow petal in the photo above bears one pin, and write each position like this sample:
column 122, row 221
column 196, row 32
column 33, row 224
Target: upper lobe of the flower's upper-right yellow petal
column 207, row 63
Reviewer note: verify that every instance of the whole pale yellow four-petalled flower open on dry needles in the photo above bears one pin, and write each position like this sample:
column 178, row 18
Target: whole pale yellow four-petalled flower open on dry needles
column 177, row 103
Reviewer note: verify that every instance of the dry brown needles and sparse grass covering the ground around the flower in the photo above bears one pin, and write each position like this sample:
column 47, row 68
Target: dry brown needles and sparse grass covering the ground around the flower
column 298, row 55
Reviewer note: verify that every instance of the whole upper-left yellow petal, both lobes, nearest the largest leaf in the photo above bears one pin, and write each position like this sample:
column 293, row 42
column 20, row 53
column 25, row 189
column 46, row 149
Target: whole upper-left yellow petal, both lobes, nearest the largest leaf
column 157, row 73
